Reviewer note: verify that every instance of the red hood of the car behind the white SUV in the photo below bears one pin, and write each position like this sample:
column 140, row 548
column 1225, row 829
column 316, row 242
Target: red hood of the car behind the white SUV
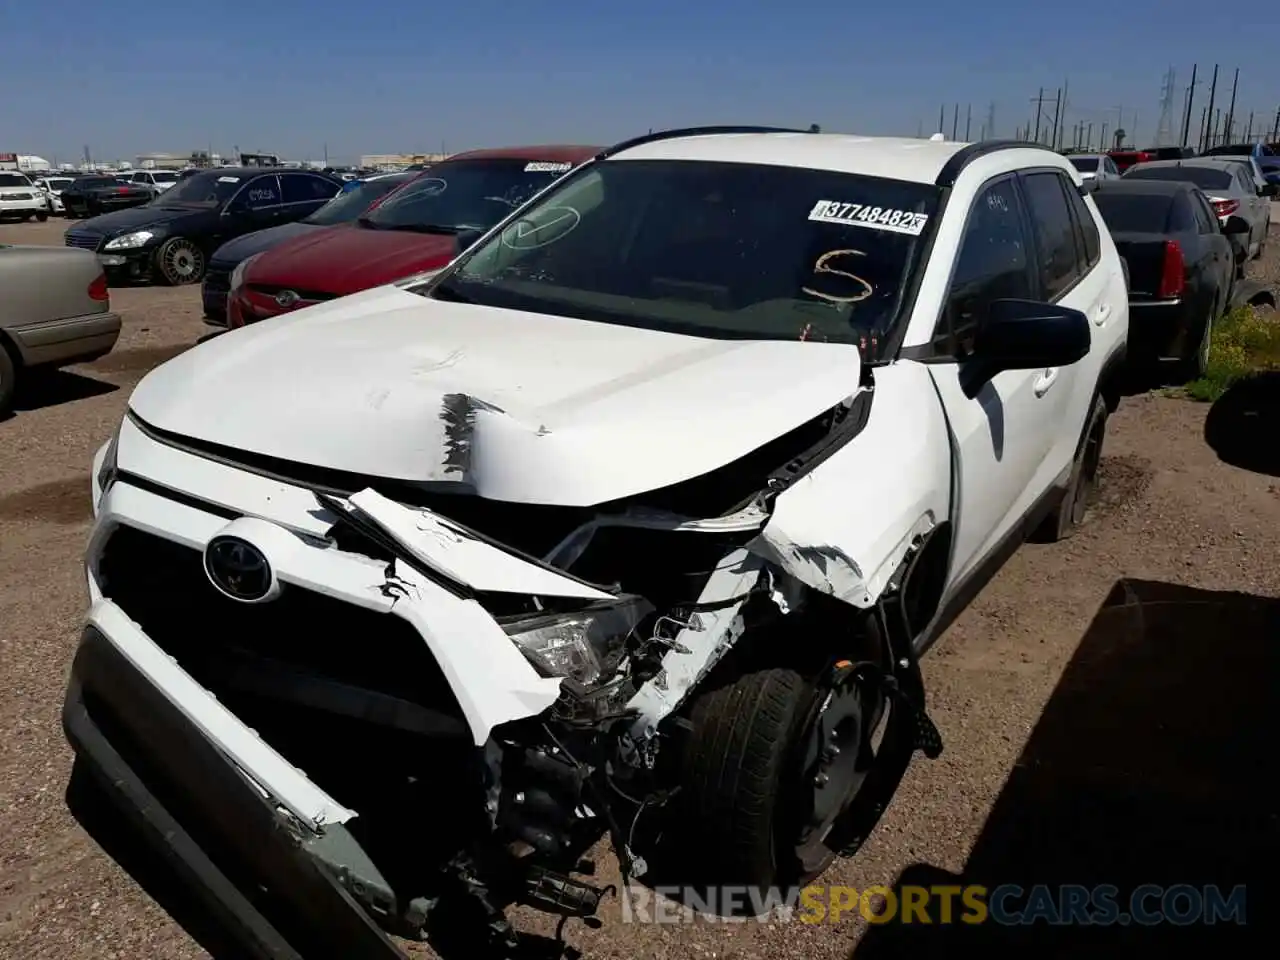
column 349, row 259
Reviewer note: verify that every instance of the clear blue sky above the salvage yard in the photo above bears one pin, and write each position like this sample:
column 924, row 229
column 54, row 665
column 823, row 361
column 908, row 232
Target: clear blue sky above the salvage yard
column 291, row 77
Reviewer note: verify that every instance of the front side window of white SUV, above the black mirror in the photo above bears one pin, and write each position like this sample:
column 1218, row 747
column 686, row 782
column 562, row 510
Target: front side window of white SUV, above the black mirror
column 993, row 263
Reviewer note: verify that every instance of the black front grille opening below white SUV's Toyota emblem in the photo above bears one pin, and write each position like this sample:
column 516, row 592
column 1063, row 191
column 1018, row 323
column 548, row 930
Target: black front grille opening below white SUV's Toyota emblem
column 163, row 587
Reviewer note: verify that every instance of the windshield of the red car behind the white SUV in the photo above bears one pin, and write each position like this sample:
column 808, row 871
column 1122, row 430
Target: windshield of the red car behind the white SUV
column 465, row 195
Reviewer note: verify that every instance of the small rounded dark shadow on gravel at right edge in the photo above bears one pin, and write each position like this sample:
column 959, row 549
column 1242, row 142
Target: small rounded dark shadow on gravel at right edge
column 1244, row 426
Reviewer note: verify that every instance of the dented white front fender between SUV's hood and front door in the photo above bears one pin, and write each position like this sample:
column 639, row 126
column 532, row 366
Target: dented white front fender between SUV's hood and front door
column 844, row 528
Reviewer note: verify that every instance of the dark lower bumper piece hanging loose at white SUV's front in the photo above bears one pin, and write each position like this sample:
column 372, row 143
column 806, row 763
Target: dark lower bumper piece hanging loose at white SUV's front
column 252, row 865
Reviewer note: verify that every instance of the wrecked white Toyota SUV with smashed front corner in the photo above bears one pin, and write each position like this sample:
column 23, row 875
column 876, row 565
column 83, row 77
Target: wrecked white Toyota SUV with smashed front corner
column 632, row 523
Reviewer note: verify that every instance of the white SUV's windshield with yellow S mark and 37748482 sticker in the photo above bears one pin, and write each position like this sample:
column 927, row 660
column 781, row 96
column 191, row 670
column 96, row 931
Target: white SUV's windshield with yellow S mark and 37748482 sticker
column 732, row 252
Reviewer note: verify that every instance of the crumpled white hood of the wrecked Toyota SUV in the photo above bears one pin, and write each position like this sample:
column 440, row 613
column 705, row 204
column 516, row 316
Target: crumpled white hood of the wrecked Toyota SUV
column 519, row 408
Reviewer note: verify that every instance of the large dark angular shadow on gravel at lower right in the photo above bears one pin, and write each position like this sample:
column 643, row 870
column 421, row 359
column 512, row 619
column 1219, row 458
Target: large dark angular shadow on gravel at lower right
column 1153, row 765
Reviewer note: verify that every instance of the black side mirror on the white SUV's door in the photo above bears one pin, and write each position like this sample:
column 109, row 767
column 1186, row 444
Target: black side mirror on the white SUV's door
column 1026, row 335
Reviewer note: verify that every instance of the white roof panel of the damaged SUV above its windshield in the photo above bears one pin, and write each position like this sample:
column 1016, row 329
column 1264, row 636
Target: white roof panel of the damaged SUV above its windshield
column 894, row 158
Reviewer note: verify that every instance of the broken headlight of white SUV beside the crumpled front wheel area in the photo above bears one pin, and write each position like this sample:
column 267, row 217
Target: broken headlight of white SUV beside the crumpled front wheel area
column 587, row 646
